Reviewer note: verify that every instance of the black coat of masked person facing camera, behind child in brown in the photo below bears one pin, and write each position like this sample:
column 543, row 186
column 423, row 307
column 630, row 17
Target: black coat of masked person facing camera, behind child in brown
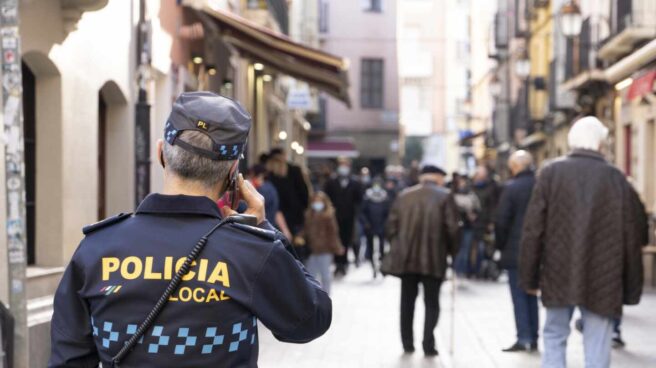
column 346, row 200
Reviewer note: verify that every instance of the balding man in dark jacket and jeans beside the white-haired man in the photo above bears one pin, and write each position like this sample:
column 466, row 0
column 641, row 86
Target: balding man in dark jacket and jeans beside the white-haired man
column 508, row 231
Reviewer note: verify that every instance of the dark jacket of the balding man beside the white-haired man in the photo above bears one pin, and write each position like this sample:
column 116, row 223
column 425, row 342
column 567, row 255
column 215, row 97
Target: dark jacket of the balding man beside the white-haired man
column 510, row 217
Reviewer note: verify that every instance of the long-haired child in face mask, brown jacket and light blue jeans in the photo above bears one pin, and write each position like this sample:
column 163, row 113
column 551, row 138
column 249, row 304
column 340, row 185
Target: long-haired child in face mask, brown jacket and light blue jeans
column 322, row 236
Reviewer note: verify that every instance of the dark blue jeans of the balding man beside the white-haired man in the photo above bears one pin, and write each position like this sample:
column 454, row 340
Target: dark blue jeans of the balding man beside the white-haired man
column 526, row 311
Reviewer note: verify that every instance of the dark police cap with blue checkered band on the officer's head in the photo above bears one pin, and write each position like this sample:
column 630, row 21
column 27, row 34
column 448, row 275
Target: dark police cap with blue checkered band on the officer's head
column 224, row 120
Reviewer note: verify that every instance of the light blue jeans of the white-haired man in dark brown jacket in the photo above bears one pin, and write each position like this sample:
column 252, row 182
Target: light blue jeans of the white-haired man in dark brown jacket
column 597, row 336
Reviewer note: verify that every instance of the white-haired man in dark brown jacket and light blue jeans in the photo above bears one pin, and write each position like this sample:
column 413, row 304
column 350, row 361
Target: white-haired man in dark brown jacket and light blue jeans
column 581, row 245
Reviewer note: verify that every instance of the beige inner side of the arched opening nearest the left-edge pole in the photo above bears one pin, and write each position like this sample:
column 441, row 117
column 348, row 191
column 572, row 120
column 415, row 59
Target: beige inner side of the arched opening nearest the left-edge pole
column 49, row 184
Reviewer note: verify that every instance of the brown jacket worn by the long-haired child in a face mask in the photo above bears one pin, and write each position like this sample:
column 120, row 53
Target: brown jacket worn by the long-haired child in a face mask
column 322, row 233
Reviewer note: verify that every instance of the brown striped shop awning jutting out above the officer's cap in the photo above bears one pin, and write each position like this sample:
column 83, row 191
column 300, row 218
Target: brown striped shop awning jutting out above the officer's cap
column 322, row 70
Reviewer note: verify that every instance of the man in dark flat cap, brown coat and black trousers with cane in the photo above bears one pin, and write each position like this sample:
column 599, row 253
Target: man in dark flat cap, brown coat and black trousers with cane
column 423, row 229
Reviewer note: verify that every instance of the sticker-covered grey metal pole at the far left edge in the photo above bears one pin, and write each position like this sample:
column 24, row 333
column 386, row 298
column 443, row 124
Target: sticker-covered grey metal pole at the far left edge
column 12, row 94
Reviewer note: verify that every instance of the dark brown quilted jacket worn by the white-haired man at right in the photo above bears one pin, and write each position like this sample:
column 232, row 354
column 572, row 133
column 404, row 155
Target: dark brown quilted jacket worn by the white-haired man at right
column 581, row 243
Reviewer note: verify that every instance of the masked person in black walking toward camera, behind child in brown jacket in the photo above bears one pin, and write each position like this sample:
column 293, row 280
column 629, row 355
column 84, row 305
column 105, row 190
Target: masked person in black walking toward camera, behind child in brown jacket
column 346, row 195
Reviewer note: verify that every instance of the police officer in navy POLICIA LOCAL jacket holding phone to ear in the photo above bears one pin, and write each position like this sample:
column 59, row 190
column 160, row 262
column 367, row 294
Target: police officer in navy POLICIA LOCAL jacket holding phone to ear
column 243, row 275
